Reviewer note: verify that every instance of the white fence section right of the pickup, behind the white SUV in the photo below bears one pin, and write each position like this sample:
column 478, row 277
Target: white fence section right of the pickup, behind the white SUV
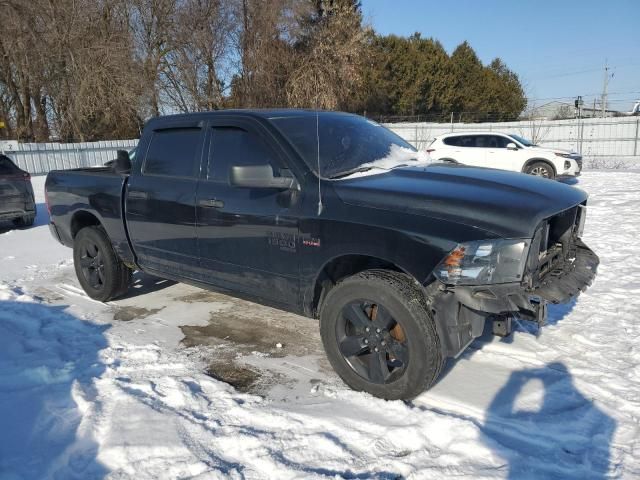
column 595, row 138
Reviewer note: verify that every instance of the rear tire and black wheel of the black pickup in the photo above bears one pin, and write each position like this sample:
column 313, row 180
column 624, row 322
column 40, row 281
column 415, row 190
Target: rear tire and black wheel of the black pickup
column 101, row 273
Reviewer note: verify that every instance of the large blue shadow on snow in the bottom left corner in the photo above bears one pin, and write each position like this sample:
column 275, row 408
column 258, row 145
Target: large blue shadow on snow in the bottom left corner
column 48, row 359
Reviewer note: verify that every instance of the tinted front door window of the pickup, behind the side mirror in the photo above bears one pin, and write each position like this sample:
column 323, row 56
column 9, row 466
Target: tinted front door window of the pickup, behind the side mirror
column 233, row 146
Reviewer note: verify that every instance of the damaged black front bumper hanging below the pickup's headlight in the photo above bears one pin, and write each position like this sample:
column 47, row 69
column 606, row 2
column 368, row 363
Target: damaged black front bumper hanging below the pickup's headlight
column 462, row 311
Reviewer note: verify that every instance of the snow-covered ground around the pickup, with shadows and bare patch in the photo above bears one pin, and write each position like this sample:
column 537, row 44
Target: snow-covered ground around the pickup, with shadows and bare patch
column 89, row 390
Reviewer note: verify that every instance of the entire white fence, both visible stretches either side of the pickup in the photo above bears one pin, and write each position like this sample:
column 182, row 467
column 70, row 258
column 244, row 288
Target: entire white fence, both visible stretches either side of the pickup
column 603, row 142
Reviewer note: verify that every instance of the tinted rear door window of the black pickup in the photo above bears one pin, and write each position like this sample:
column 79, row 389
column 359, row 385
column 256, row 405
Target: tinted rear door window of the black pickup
column 174, row 152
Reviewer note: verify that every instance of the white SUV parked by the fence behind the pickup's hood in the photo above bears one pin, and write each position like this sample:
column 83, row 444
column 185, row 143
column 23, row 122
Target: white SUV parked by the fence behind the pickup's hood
column 506, row 152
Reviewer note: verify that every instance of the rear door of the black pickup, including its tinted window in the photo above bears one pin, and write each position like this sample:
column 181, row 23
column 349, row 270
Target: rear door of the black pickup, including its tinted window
column 160, row 199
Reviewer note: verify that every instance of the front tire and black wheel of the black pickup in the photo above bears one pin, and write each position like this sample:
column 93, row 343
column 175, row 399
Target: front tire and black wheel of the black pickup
column 380, row 336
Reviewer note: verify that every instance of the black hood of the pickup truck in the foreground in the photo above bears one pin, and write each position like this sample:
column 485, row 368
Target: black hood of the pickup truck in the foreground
column 507, row 204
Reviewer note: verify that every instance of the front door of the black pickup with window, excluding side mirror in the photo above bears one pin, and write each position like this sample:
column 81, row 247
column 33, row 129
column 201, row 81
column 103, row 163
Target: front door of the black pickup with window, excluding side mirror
column 246, row 236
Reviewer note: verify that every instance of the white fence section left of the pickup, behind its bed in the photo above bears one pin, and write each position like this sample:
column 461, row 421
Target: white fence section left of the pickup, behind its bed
column 38, row 158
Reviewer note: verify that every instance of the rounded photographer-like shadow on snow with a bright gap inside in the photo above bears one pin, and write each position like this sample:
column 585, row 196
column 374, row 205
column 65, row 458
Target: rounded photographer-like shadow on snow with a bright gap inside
column 562, row 435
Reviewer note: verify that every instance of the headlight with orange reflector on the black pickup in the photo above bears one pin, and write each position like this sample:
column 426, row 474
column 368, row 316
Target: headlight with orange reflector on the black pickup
column 483, row 262
